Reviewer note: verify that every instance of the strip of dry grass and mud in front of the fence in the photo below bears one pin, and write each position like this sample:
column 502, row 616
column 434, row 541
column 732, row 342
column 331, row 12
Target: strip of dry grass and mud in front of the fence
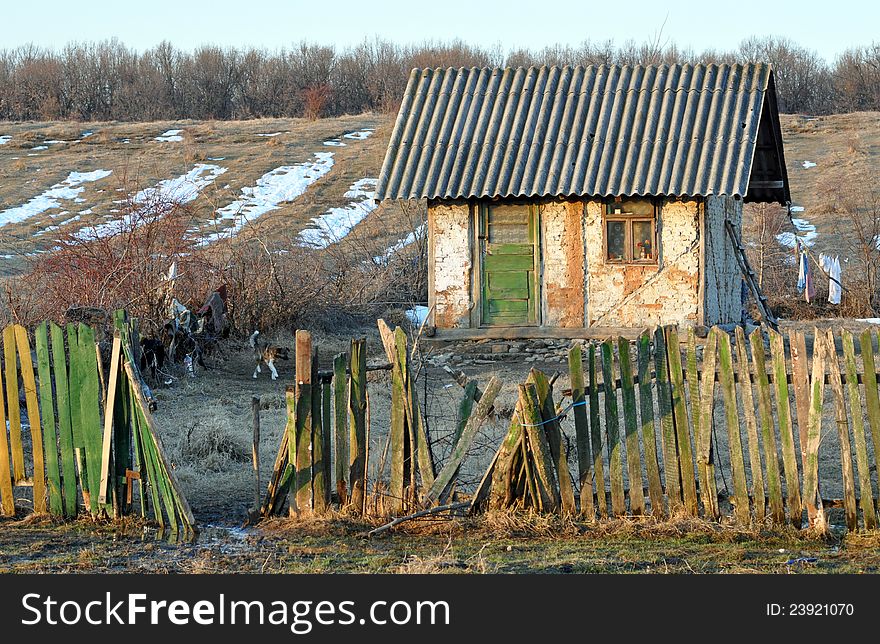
column 495, row 544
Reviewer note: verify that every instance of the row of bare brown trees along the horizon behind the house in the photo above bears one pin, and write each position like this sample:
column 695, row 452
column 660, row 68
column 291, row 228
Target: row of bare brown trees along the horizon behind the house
column 108, row 81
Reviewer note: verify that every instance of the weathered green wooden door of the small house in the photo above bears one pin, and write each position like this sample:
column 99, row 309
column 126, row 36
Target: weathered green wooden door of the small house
column 508, row 236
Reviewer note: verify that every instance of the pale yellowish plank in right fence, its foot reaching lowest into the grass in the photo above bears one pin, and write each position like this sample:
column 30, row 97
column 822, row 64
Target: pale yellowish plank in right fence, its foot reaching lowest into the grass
column 811, row 497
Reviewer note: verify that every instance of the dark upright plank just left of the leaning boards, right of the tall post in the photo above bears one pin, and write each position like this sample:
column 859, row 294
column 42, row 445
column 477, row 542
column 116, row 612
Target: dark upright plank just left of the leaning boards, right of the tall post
column 357, row 407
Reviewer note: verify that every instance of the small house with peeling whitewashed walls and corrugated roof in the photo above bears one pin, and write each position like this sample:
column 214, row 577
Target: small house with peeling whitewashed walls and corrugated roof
column 564, row 199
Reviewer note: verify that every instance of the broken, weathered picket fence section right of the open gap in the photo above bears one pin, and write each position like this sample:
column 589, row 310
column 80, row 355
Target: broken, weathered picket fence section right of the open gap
column 637, row 433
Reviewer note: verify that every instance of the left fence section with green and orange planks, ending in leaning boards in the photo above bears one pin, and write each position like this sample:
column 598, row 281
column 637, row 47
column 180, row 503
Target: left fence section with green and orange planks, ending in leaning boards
column 92, row 437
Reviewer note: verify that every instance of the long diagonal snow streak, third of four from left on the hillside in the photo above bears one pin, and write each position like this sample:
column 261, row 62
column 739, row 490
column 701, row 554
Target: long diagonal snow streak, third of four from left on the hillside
column 283, row 184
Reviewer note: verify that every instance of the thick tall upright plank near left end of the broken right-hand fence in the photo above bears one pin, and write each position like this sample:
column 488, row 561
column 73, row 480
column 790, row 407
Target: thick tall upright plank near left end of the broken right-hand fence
column 303, row 408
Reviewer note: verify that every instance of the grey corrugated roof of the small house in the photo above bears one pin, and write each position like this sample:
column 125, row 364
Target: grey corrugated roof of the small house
column 598, row 130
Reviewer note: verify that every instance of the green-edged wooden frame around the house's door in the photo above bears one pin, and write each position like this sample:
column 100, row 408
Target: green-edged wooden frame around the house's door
column 477, row 233
